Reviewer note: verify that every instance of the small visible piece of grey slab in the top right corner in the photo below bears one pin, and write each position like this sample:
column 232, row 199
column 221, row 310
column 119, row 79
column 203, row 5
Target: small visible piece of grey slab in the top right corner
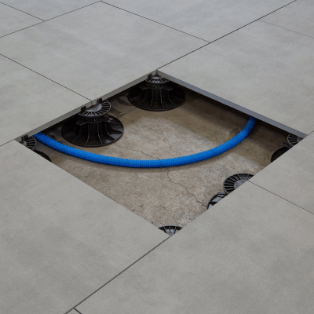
column 297, row 17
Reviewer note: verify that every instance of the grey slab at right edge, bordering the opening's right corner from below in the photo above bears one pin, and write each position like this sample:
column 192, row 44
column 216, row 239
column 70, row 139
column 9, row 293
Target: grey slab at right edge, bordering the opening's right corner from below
column 291, row 176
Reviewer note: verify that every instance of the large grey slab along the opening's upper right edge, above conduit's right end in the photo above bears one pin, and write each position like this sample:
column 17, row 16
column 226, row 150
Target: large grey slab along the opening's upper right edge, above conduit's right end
column 262, row 70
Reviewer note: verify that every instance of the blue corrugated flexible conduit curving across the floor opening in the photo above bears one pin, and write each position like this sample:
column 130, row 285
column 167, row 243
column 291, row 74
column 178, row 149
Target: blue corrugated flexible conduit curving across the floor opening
column 159, row 163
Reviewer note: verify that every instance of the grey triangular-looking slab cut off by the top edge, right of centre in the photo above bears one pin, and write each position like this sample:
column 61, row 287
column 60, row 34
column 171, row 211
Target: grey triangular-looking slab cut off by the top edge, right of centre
column 208, row 20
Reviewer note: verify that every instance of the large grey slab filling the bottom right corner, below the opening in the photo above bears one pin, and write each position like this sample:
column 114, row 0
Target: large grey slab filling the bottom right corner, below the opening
column 252, row 253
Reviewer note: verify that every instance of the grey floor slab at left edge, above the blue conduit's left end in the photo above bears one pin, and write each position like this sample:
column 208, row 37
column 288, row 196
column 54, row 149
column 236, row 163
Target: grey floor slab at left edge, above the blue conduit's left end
column 29, row 102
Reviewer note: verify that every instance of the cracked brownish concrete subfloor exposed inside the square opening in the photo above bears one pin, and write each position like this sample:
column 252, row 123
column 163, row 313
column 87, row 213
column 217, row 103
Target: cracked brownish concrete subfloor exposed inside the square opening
column 174, row 195
